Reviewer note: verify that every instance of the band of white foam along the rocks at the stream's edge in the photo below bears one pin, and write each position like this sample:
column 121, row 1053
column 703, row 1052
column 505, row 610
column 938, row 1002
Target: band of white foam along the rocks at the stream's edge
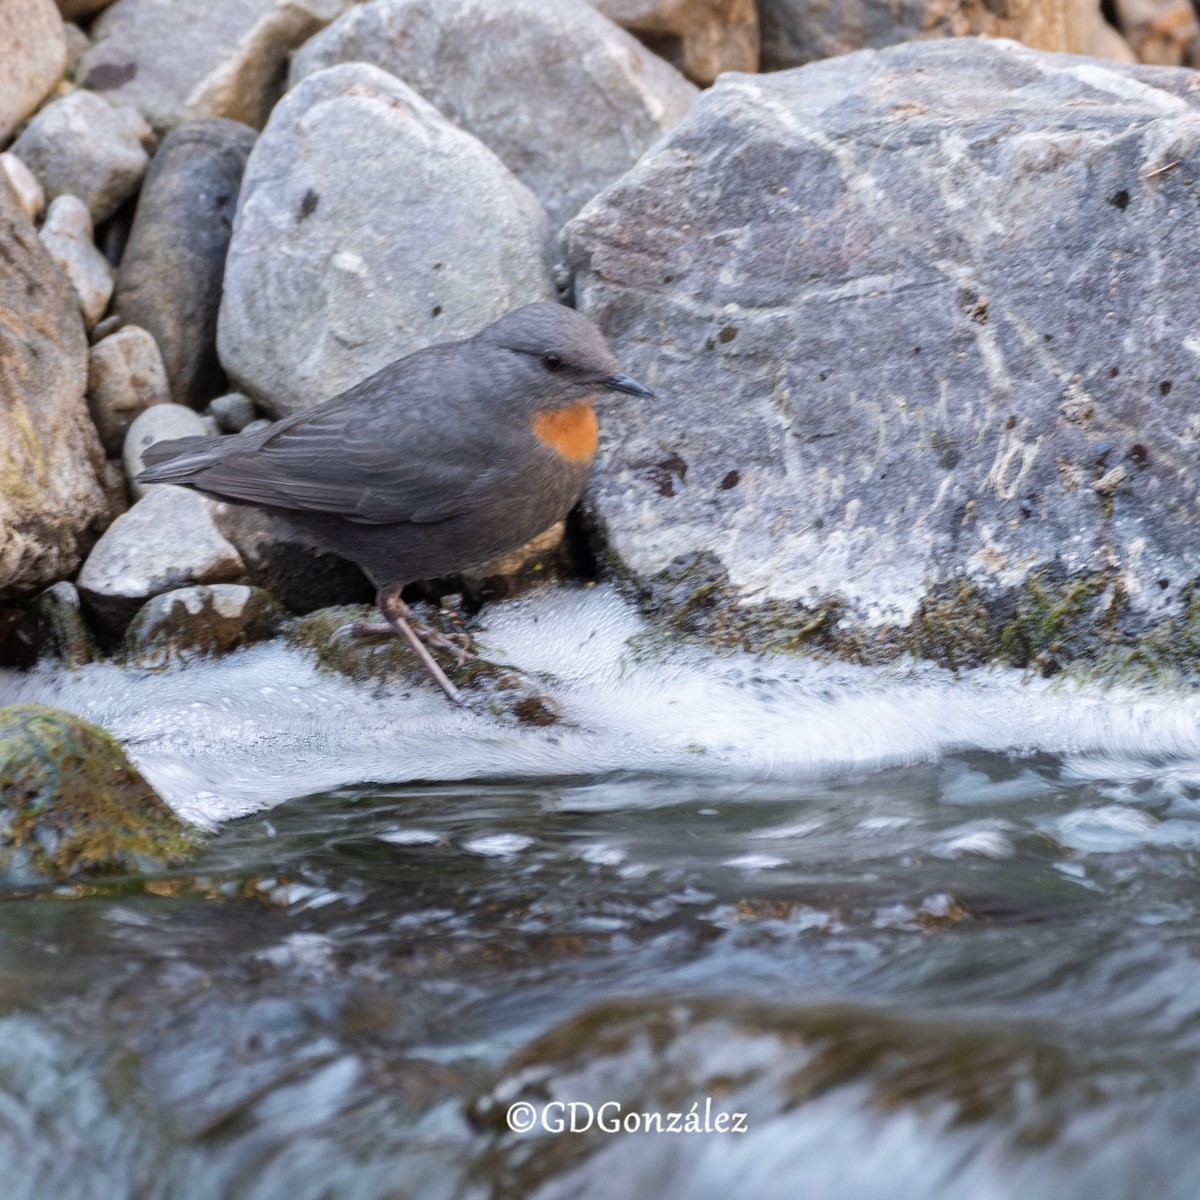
column 224, row 739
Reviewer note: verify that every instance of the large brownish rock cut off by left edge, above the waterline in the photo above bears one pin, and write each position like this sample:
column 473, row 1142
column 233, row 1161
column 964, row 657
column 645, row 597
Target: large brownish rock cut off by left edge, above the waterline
column 52, row 505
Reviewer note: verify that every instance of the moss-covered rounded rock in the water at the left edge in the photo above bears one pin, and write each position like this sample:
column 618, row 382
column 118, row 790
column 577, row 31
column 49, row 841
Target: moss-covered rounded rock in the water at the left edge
column 73, row 805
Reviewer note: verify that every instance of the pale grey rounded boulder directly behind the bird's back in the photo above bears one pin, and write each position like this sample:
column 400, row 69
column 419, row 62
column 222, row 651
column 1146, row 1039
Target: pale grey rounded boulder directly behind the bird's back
column 369, row 226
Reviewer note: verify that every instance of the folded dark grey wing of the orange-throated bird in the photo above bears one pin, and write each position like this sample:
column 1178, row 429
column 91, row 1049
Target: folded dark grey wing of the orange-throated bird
column 362, row 459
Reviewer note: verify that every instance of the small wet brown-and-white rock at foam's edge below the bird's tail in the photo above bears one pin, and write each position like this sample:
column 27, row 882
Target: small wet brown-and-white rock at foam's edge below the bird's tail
column 200, row 621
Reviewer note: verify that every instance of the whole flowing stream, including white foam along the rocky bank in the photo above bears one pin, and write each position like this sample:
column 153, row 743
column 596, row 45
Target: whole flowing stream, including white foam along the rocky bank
column 917, row 935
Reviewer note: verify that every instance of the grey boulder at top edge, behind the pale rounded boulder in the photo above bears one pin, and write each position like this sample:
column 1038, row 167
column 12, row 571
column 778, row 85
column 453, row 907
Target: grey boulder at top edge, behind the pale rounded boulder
column 566, row 99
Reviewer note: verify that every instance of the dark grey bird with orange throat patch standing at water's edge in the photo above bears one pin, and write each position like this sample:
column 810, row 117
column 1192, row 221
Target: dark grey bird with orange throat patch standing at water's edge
column 439, row 463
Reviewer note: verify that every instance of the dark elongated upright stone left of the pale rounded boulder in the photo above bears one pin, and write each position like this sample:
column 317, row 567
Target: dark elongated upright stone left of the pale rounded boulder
column 170, row 280
